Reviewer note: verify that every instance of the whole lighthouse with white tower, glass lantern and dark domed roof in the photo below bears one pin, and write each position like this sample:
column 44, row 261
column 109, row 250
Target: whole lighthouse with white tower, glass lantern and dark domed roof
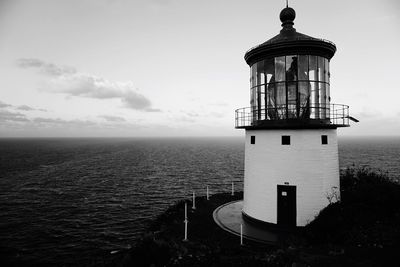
column 291, row 148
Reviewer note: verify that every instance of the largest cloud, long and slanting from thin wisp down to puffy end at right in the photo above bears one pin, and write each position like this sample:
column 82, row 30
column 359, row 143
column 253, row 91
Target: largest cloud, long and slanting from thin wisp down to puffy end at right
column 68, row 81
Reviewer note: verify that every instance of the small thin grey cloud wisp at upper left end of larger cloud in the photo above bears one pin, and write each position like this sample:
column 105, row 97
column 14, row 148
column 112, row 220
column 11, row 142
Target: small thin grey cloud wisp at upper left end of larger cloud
column 44, row 67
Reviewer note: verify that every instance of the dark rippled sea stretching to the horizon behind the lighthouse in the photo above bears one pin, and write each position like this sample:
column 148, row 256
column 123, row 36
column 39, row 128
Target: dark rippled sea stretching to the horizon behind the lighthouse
column 75, row 201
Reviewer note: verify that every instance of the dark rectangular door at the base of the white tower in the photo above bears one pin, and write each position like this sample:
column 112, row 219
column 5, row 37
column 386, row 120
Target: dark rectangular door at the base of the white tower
column 287, row 205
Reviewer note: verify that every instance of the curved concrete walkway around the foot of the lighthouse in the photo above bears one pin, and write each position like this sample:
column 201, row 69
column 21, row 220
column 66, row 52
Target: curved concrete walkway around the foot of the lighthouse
column 229, row 218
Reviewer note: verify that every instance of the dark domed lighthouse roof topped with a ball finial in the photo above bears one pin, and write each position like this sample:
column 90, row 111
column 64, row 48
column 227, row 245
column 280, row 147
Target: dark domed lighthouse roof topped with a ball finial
column 289, row 41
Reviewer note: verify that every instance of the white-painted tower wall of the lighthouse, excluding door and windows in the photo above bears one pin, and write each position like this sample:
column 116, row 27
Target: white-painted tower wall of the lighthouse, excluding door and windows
column 312, row 167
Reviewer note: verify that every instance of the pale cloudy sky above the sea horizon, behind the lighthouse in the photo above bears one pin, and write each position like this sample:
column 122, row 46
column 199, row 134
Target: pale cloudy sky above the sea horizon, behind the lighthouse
column 127, row 68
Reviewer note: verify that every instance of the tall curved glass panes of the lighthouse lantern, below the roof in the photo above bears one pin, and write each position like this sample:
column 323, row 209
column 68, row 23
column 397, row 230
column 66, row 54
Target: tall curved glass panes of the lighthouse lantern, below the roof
column 290, row 87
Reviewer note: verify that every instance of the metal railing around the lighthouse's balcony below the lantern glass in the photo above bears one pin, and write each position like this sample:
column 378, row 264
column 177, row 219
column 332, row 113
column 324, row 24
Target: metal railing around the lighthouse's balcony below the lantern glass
column 333, row 114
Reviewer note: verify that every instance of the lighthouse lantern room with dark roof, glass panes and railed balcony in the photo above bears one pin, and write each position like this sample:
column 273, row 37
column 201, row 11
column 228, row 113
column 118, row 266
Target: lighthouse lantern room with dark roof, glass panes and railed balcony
column 290, row 82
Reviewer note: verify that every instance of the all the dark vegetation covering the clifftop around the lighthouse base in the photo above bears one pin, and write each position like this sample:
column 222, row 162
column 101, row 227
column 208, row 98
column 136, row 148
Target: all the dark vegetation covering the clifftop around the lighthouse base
column 362, row 229
